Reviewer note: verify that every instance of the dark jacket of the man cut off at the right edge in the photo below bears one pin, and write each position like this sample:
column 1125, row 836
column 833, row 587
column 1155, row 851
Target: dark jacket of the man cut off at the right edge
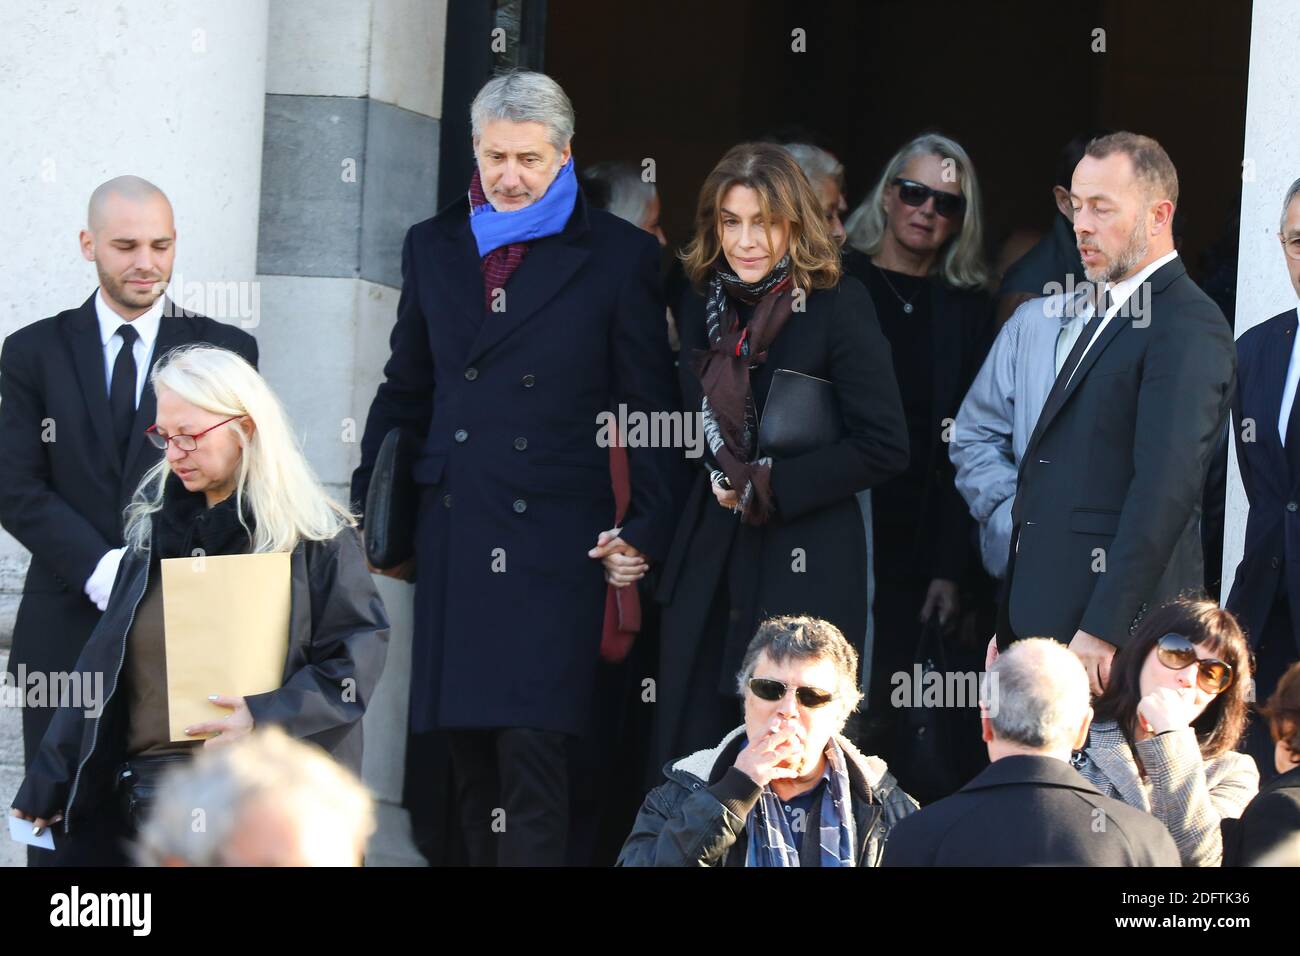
column 1272, row 527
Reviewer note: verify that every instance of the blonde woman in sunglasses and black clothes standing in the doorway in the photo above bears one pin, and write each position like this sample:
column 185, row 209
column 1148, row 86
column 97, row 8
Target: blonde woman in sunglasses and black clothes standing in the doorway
column 917, row 244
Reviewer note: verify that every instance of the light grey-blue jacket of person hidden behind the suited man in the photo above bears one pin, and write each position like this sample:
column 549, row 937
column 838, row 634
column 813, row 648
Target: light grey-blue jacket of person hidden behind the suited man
column 999, row 413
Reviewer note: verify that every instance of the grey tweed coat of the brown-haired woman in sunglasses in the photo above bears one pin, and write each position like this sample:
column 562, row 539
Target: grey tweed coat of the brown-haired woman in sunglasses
column 1188, row 794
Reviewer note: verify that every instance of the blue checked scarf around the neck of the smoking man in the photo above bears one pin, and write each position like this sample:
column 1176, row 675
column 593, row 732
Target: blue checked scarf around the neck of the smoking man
column 772, row 843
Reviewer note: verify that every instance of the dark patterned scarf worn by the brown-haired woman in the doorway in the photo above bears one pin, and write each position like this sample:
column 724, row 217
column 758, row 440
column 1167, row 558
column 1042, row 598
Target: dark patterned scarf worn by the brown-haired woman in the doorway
column 729, row 410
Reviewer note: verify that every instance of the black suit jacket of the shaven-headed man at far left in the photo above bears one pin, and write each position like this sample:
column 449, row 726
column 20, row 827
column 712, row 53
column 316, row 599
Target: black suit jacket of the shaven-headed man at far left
column 63, row 488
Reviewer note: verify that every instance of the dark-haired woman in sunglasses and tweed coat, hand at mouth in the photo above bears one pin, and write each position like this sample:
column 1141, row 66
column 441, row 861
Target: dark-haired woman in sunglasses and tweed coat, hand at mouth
column 1167, row 728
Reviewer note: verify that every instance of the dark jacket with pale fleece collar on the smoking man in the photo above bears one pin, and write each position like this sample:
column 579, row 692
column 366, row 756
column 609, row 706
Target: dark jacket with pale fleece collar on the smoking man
column 697, row 819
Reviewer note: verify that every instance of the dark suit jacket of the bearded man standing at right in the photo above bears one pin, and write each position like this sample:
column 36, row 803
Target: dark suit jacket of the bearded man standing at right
column 1108, row 505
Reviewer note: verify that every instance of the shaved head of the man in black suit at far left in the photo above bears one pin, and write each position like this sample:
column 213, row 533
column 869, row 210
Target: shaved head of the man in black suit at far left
column 131, row 236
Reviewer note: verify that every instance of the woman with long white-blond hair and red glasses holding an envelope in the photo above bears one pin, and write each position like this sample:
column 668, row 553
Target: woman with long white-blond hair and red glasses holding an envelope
column 232, row 482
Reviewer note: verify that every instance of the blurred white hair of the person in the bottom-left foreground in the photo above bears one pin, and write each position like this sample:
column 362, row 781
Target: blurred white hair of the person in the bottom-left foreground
column 226, row 784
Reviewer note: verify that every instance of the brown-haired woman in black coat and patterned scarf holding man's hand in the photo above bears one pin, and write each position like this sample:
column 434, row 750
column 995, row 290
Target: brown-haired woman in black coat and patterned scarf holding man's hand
column 764, row 534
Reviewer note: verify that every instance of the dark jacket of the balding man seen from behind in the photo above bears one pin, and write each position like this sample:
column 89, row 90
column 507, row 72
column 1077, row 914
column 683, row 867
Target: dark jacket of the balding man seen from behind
column 1030, row 811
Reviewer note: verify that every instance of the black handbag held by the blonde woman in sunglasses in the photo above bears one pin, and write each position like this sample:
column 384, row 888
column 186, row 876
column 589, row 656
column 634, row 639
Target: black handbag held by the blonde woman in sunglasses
column 928, row 762
